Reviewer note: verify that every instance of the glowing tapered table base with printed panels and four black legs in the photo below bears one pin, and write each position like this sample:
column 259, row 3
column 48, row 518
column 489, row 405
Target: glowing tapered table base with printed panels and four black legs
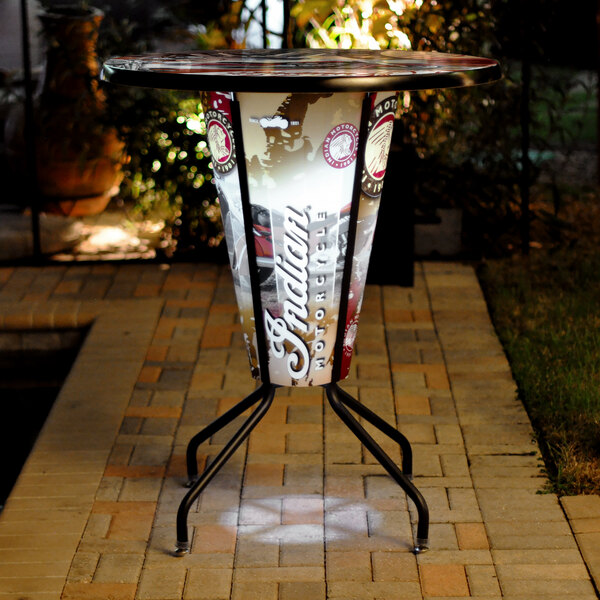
column 299, row 221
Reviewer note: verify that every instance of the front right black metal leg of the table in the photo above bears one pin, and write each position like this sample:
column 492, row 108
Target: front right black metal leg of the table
column 333, row 395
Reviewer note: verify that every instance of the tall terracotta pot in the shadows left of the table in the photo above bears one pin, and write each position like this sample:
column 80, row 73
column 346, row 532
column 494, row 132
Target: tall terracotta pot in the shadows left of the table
column 79, row 156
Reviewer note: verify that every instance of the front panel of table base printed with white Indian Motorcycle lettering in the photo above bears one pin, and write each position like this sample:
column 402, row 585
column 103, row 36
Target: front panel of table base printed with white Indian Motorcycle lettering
column 301, row 154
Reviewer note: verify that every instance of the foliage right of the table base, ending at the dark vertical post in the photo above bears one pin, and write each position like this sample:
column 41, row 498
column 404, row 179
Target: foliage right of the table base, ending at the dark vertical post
column 466, row 141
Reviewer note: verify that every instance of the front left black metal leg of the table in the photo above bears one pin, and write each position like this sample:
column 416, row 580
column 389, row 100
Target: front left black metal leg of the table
column 183, row 544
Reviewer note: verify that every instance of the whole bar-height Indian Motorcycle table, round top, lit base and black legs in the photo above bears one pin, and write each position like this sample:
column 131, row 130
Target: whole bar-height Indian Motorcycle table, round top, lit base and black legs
column 299, row 142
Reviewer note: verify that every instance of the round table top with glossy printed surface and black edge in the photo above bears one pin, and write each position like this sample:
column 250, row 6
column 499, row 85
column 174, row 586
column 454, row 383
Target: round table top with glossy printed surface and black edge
column 300, row 70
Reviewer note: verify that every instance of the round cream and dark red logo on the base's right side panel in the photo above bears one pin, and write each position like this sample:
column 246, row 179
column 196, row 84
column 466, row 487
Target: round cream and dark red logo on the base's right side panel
column 381, row 124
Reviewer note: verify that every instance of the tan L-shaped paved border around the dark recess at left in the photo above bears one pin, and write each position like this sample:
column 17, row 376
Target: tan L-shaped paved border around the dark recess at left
column 45, row 516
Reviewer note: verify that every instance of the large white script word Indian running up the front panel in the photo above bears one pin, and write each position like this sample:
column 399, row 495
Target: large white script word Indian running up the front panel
column 284, row 332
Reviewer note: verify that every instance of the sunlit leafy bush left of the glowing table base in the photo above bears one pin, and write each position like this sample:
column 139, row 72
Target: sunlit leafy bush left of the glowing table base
column 168, row 174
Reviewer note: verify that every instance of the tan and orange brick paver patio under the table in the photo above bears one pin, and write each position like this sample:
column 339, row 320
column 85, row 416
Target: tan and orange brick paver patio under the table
column 301, row 512
